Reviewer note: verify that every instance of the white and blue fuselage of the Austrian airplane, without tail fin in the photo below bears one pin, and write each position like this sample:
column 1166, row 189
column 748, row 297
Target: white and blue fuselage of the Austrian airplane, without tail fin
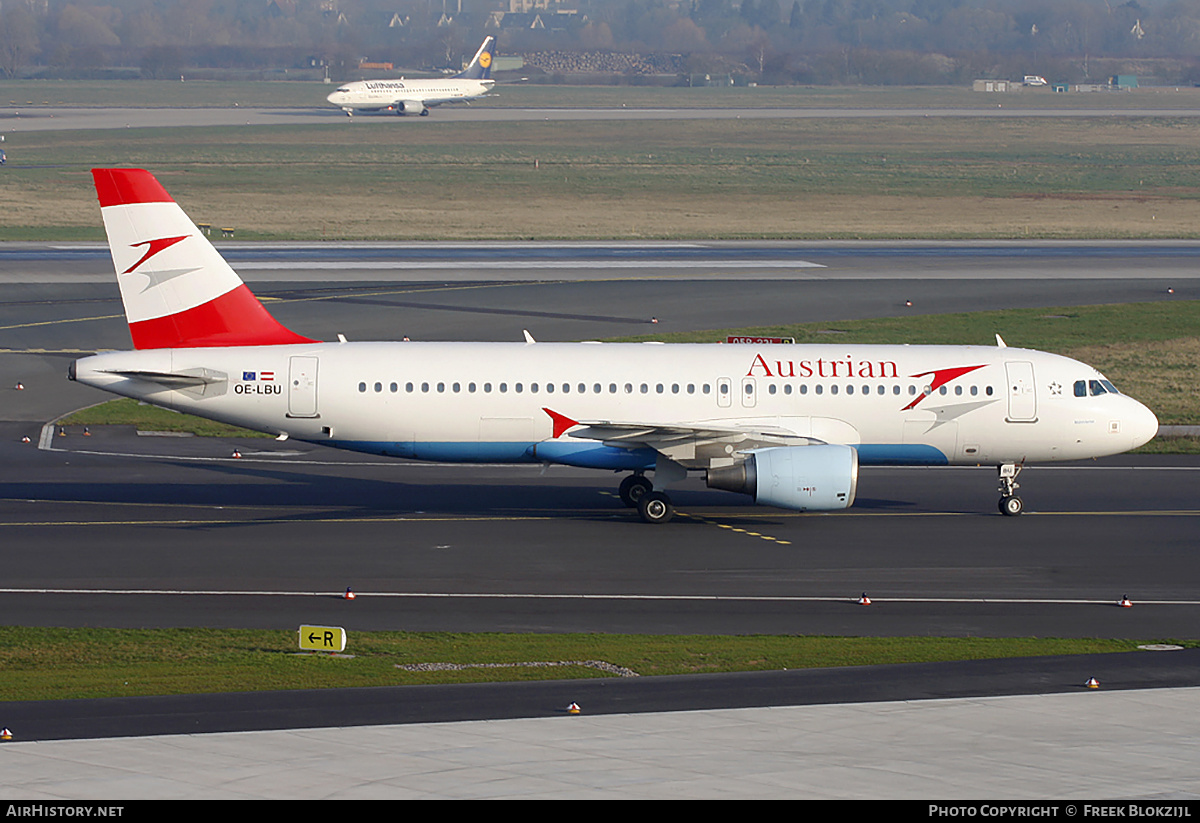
column 487, row 403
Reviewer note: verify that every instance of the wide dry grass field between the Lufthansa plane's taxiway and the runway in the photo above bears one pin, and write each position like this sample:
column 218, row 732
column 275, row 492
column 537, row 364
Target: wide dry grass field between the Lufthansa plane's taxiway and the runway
column 790, row 178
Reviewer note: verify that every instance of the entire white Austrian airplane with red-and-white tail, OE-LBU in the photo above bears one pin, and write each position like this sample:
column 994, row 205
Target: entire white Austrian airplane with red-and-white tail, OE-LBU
column 789, row 425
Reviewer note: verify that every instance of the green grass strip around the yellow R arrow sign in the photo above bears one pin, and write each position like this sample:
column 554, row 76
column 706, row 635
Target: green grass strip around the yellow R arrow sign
column 69, row 664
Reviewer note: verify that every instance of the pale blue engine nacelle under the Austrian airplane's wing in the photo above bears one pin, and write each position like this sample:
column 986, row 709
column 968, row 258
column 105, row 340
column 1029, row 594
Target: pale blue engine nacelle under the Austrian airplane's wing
column 819, row 478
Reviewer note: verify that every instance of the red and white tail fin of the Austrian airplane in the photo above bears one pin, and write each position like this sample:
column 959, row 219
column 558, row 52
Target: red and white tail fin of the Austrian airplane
column 177, row 289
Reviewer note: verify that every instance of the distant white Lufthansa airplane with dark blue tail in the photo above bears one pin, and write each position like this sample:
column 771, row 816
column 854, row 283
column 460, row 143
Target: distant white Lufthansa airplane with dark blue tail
column 419, row 97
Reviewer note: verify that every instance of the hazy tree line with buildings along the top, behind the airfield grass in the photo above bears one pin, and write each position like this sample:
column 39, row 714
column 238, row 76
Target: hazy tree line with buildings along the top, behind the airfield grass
column 771, row 41
